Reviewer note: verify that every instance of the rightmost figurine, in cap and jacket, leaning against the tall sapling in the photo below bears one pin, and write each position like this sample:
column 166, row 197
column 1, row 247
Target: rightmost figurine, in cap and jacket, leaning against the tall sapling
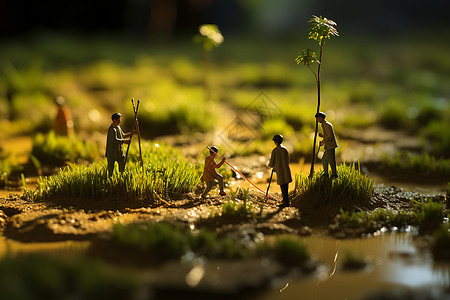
column 330, row 144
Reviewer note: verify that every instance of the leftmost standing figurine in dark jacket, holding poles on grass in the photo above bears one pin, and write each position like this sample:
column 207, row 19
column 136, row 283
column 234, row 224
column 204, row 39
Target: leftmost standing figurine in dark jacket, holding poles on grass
column 114, row 144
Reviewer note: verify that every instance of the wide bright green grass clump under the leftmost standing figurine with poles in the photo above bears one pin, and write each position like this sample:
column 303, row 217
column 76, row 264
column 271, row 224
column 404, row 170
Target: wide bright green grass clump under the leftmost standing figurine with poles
column 165, row 174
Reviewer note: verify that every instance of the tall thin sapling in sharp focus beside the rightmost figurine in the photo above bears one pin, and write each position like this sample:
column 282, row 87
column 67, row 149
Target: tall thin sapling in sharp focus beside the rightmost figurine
column 320, row 29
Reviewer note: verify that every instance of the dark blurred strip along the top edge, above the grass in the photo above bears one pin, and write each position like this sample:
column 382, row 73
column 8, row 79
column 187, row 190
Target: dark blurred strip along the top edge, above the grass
column 170, row 18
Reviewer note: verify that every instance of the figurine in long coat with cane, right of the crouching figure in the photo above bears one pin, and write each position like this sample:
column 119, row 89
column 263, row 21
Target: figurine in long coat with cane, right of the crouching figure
column 279, row 161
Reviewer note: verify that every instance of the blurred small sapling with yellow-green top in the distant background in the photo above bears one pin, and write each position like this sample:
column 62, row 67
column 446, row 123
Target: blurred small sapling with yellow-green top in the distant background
column 210, row 37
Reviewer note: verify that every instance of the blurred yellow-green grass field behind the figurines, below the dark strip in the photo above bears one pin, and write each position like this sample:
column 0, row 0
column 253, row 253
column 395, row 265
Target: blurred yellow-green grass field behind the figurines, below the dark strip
column 103, row 73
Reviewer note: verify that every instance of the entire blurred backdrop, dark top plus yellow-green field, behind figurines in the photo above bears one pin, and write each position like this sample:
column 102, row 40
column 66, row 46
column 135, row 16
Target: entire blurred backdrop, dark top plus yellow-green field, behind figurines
column 385, row 79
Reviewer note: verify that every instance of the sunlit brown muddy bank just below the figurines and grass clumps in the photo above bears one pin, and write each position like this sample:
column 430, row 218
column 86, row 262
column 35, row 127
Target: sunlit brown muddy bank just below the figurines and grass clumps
column 43, row 222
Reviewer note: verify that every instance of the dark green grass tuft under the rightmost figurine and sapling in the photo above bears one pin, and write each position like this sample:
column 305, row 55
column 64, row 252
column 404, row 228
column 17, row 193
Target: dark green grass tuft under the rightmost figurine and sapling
column 351, row 187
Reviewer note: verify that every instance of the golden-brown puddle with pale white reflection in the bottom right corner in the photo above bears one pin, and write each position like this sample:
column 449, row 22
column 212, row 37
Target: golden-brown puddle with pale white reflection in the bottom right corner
column 395, row 263
